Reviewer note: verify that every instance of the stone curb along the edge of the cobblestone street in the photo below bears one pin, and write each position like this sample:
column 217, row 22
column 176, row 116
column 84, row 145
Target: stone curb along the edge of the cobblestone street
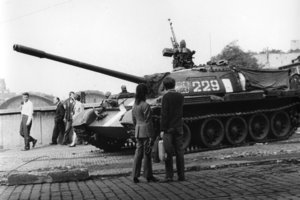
column 54, row 176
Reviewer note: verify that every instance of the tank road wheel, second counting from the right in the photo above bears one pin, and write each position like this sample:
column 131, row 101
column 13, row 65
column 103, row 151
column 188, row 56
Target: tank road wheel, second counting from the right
column 259, row 127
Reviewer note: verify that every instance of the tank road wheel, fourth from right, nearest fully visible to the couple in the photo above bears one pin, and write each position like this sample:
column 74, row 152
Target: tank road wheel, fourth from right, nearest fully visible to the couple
column 212, row 132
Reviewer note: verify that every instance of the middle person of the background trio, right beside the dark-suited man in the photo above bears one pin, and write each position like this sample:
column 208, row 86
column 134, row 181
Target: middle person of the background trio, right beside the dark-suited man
column 69, row 109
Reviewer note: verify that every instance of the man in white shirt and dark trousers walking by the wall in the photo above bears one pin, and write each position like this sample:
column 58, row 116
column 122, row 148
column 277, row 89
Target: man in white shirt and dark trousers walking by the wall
column 26, row 122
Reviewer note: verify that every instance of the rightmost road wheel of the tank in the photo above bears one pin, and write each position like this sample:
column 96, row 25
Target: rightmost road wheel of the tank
column 280, row 124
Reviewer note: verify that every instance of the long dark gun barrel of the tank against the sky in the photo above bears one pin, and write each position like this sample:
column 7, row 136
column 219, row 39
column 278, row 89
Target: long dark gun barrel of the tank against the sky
column 42, row 54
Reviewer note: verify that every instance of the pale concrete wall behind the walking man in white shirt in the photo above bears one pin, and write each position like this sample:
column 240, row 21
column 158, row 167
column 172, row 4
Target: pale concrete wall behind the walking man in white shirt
column 42, row 127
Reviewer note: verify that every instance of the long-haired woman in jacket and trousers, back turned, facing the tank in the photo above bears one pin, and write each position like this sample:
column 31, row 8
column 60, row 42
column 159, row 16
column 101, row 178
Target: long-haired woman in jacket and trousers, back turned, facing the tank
column 144, row 134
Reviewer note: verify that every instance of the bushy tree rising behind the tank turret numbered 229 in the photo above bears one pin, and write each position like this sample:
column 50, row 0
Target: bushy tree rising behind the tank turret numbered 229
column 236, row 56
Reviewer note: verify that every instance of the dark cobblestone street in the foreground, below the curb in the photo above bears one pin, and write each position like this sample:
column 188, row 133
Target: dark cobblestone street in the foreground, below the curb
column 276, row 181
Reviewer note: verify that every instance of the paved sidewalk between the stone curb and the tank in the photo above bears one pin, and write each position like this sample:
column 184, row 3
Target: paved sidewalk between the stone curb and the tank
column 44, row 159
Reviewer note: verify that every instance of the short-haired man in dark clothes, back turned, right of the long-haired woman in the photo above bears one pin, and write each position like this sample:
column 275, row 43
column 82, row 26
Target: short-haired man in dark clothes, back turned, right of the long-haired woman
column 171, row 126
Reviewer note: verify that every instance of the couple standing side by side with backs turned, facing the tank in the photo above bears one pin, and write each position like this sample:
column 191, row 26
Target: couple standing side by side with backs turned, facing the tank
column 171, row 127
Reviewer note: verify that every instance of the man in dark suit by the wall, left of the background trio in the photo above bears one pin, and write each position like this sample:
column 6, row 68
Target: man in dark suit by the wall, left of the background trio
column 59, row 125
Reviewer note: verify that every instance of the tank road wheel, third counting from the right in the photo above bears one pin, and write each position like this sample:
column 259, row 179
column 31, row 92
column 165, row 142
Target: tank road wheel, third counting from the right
column 236, row 130
